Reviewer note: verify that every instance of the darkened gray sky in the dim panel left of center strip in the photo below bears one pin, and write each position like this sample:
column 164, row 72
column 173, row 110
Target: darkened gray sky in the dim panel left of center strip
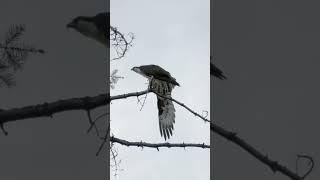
column 74, row 66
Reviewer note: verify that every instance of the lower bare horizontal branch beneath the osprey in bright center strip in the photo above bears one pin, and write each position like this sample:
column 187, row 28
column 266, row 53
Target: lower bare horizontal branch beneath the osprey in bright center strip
column 156, row 145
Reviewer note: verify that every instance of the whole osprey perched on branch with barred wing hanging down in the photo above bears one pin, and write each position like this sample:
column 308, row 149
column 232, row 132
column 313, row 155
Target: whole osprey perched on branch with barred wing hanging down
column 161, row 82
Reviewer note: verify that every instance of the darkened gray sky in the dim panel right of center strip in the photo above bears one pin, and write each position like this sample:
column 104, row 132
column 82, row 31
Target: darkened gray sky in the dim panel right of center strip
column 270, row 52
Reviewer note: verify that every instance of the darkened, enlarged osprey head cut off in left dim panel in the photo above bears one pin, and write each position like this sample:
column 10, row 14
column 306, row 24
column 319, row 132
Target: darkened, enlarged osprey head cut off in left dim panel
column 96, row 27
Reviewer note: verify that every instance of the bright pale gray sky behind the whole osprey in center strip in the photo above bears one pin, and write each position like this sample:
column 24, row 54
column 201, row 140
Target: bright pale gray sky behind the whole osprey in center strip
column 175, row 35
